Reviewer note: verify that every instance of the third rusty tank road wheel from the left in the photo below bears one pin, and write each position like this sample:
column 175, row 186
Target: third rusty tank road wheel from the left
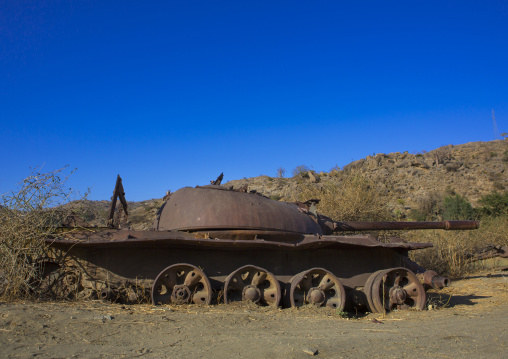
column 318, row 287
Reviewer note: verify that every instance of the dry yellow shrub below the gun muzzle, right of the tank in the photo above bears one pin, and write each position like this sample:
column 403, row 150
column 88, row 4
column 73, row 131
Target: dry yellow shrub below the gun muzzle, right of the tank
column 452, row 250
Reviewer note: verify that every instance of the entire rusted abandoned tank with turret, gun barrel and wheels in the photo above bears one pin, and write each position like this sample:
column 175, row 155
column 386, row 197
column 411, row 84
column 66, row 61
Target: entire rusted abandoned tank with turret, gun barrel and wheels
column 213, row 244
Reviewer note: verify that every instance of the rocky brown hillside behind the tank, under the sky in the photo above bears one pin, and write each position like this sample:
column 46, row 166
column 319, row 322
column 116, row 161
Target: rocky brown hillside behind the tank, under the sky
column 472, row 170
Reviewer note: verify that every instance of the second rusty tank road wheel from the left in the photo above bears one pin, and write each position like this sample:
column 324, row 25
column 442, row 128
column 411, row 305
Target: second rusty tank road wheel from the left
column 254, row 284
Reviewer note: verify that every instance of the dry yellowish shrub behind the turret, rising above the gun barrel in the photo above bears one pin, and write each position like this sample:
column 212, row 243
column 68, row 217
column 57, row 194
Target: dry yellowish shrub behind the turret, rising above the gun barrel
column 350, row 197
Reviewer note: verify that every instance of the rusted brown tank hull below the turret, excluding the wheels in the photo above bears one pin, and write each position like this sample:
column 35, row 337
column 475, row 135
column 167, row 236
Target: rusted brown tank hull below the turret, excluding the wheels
column 119, row 258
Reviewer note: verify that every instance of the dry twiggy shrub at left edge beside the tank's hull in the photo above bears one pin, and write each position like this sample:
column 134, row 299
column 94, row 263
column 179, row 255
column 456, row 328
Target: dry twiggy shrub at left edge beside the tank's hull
column 27, row 215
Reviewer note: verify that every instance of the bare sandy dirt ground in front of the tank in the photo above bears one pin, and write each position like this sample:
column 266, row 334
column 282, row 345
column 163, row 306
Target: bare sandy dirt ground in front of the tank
column 468, row 319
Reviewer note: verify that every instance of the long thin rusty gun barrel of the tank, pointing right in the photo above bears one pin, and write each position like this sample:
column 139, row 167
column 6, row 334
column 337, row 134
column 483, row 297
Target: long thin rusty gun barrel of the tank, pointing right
column 369, row 226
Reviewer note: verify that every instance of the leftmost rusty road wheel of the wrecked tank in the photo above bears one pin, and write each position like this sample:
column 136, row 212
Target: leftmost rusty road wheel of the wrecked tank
column 181, row 284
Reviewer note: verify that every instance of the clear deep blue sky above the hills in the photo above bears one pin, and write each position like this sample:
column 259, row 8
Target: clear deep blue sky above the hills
column 171, row 93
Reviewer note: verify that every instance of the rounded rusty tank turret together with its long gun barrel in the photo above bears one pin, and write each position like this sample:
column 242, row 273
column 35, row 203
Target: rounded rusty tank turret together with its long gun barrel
column 215, row 211
